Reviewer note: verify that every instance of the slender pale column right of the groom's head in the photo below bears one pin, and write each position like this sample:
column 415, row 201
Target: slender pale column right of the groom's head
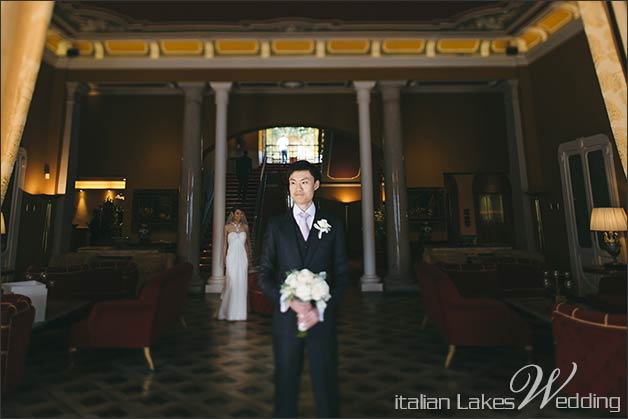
column 370, row 280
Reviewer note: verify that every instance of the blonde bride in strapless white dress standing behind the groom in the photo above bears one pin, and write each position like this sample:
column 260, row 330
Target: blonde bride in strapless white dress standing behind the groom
column 237, row 251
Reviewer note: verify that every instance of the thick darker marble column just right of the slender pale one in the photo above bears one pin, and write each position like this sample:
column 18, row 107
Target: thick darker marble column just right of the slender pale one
column 399, row 276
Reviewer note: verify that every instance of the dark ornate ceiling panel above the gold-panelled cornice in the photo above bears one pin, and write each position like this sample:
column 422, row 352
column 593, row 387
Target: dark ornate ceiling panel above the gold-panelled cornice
column 86, row 19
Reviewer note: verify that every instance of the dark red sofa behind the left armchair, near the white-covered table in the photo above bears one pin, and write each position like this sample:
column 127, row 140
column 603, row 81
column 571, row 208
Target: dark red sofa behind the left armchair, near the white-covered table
column 96, row 282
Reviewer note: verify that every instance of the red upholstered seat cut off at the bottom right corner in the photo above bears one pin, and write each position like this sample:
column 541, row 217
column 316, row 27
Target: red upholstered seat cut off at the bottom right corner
column 596, row 342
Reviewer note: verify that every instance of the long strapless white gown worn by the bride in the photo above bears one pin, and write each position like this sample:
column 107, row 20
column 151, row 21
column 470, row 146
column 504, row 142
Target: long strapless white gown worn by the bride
column 234, row 296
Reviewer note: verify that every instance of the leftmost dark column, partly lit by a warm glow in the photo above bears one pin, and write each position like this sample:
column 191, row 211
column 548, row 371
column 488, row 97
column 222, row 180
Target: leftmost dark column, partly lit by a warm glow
column 68, row 168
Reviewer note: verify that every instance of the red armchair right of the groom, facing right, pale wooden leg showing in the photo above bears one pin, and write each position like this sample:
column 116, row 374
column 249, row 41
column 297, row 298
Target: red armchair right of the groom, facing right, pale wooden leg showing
column 468, row 321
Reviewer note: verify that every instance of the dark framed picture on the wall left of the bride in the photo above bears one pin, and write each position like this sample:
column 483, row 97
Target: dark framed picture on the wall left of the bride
column 156, row 207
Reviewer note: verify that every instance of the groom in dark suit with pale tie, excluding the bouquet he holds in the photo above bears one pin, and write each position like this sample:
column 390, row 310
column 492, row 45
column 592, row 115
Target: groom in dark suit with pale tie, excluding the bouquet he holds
column 291, row 241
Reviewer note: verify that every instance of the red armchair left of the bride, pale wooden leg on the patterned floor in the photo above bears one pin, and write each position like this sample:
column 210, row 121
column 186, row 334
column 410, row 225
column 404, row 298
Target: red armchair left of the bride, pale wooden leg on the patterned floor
column 140, row 322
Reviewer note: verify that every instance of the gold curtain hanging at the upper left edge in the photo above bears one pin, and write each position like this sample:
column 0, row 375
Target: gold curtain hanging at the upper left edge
column 24, row 26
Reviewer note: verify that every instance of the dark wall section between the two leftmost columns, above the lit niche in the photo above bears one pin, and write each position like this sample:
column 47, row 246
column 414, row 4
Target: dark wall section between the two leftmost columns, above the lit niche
column 135, row 137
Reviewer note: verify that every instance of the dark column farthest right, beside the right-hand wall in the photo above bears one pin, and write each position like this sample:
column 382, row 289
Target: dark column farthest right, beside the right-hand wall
column 522, row 206
